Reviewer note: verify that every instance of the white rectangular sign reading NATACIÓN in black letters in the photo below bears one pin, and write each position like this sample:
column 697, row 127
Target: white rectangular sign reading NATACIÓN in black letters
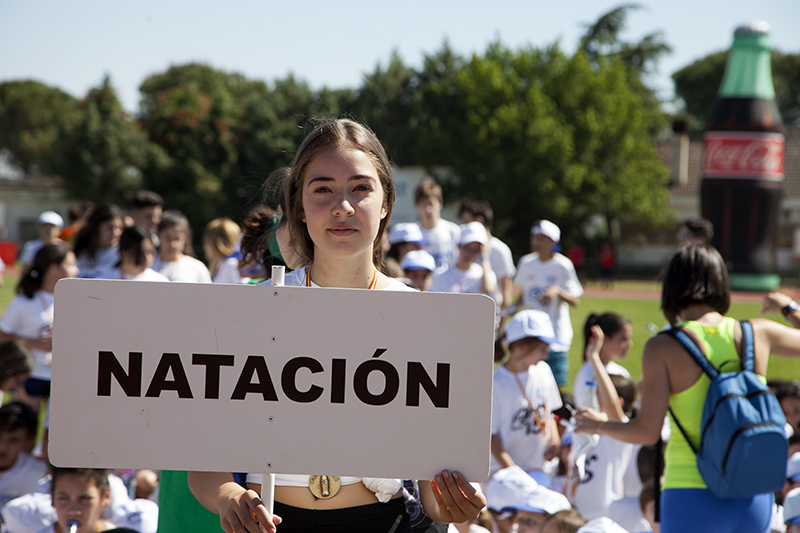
column 237, row 378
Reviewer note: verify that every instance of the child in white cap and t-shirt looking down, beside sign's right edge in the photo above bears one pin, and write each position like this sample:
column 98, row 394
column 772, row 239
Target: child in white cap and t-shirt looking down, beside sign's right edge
column 524, row 432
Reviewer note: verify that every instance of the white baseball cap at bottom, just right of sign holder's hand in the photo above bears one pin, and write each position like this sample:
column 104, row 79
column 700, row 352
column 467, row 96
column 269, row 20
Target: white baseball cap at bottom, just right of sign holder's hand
column 512, row 488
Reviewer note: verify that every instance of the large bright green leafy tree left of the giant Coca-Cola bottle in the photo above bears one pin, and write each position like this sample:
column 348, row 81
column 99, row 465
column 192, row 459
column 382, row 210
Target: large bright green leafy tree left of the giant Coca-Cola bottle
column 540, row 134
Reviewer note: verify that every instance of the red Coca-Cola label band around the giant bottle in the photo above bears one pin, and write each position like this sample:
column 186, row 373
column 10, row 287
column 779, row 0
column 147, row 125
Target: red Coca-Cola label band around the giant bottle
column 744, row 155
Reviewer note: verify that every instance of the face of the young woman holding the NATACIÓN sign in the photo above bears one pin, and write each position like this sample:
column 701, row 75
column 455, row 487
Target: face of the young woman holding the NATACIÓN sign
column 343, row 203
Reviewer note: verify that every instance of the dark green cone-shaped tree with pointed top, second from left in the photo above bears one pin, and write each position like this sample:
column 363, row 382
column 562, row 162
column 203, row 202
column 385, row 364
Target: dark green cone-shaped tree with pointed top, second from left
column 102, row 153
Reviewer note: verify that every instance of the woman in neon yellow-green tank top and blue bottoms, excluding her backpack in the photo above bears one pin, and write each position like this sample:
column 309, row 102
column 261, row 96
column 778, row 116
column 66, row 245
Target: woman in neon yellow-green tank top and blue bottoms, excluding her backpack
column 695, row 295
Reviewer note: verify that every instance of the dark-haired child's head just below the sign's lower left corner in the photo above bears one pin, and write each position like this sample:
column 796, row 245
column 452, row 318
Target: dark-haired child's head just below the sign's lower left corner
column 78, row 498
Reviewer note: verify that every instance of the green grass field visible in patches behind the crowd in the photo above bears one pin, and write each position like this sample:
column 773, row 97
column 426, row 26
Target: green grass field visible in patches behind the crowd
column 640, row 312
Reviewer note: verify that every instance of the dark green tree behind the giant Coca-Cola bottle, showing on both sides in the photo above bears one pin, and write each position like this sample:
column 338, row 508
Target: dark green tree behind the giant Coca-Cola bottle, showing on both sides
column 697, row 84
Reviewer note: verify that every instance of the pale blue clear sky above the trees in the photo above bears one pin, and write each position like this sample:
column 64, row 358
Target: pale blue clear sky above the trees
column 73, row 44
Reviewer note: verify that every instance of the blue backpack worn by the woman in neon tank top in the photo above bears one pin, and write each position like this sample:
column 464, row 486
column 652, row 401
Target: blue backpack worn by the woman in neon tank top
column 743, row 445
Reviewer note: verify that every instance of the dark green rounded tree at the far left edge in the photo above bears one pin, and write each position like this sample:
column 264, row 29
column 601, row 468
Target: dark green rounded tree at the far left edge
column 30, row 116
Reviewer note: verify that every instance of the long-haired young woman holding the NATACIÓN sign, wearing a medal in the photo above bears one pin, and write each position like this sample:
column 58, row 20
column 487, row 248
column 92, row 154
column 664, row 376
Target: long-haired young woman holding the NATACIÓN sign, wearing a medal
column 339, row 199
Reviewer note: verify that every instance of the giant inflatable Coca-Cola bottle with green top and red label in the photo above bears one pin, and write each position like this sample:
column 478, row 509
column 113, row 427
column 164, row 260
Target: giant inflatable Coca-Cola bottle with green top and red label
column 742, row 182
